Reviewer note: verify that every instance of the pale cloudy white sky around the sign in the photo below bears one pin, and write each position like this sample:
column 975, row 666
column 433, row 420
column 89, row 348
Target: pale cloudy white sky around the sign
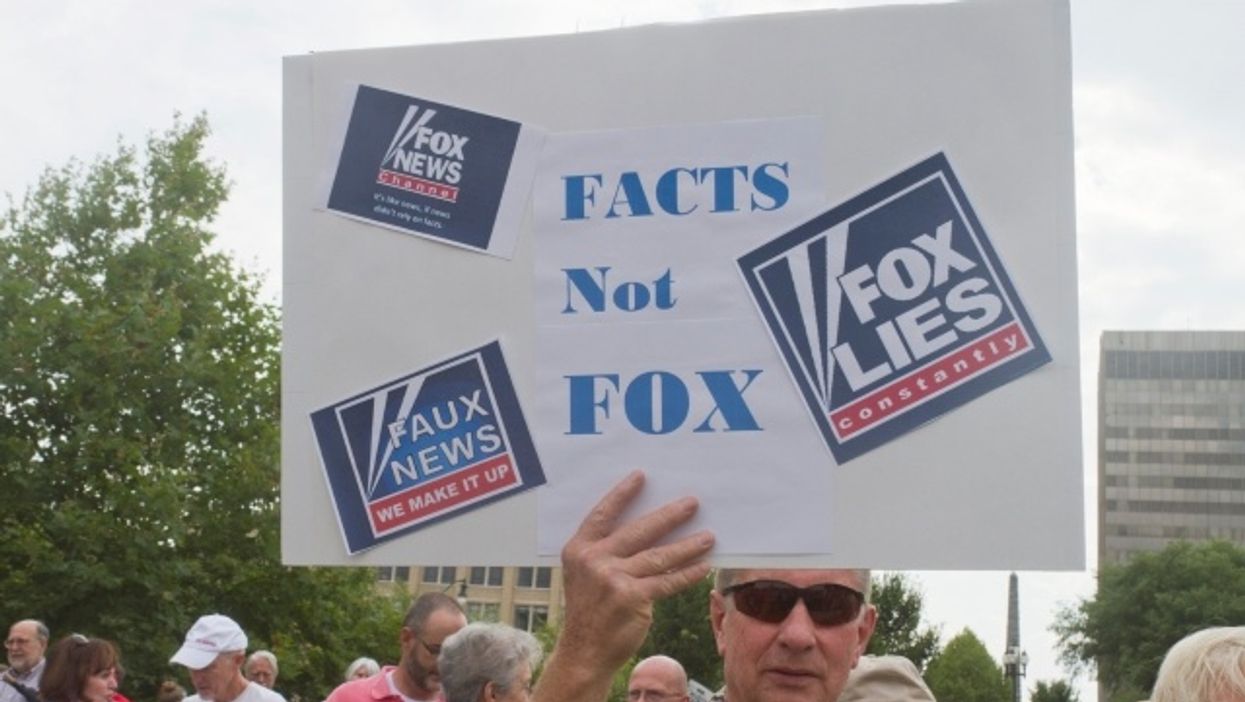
column 1161, row 159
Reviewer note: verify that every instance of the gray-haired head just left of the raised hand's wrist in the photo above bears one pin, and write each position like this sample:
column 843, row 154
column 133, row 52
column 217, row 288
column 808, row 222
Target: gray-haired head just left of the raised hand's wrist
column 489, row 663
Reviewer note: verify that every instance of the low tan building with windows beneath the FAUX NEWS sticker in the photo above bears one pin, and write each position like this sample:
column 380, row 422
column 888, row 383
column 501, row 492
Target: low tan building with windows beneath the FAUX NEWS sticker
column 522, row 597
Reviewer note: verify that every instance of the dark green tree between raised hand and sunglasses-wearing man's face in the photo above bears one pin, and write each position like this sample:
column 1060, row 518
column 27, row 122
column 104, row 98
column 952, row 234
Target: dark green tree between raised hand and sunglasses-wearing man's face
column 683, row 632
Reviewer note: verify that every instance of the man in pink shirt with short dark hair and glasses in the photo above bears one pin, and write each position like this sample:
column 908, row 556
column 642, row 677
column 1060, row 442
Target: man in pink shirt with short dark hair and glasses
column 433, row 618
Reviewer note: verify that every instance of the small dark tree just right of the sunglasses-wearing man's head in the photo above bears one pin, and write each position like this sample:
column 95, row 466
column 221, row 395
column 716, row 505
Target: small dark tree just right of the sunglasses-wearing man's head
column 900, row 629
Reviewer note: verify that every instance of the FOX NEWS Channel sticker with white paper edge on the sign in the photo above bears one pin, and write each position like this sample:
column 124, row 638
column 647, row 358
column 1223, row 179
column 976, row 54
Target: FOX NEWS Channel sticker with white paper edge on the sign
column 435, row 171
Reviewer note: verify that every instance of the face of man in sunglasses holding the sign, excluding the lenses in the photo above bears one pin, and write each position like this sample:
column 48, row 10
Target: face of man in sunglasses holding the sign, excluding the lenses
column 794, row 660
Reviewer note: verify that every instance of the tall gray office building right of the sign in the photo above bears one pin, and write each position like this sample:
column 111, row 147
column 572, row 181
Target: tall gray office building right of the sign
column 1171, row 440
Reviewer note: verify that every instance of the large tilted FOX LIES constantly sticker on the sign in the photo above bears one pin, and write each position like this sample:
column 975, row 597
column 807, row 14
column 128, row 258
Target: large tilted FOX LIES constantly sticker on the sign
column 892, row 309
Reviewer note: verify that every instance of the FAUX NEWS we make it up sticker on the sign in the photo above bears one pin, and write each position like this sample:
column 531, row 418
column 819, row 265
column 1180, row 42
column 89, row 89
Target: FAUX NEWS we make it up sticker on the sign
column 426, row 447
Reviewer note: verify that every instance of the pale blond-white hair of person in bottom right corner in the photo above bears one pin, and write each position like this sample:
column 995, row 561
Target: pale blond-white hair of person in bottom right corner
column 1206, row 665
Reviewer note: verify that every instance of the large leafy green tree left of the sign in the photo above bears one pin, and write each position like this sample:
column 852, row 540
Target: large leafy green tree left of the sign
column 140, row 429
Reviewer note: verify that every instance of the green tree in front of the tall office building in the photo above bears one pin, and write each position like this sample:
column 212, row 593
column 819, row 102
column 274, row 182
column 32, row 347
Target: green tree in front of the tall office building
column 1146, row 606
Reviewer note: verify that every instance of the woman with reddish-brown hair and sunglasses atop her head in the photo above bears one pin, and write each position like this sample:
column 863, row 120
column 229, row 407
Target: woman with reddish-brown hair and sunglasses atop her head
column 80, row 670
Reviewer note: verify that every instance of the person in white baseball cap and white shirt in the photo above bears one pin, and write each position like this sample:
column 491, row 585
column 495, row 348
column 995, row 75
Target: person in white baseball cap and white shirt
column 215, row 652
